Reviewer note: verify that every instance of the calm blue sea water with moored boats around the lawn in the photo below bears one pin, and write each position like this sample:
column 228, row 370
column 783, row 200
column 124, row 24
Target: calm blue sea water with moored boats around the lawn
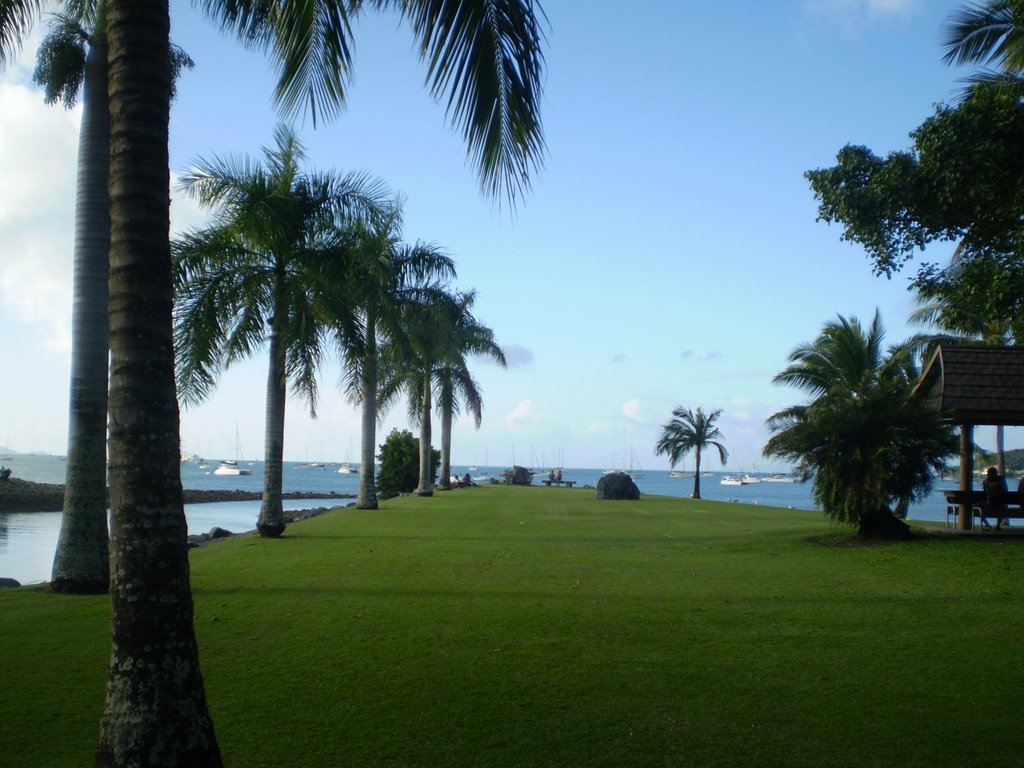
column 29, row 540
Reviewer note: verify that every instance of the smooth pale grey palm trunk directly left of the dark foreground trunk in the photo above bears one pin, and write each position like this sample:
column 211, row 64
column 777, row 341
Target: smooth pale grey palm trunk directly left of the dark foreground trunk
column 81, row 564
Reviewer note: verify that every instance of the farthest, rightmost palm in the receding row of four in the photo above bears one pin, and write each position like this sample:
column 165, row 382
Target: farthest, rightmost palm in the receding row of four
column 465, row 337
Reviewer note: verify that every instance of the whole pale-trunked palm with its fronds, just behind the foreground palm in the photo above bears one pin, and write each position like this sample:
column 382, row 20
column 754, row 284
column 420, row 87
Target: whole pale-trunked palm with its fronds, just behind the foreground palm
column 72, row 62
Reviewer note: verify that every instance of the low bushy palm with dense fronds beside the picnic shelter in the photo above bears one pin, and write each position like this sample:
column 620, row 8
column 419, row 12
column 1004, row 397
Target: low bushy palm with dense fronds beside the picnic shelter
column 872, row 441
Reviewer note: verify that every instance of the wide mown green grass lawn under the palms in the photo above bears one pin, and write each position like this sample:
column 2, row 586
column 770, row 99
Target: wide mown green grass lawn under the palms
column 538, row 627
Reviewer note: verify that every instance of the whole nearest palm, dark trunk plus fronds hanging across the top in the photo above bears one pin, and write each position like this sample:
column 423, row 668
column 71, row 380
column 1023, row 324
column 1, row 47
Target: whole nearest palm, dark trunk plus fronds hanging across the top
column 486, row 53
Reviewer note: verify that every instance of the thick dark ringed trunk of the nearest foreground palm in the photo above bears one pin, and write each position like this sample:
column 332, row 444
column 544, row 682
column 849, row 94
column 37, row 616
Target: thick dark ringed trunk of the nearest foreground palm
column 156, row 712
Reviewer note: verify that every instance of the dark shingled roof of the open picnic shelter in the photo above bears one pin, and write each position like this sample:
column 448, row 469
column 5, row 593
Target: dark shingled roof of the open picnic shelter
column 977, row 385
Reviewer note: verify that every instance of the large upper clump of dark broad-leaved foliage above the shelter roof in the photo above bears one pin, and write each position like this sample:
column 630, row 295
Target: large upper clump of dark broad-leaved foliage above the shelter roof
column 963, row 181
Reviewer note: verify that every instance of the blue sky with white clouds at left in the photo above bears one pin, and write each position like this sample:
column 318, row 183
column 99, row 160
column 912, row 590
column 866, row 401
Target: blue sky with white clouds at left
column 667, row 254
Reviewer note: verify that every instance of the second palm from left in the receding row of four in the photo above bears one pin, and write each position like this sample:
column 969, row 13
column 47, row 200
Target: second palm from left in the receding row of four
column 387, row 277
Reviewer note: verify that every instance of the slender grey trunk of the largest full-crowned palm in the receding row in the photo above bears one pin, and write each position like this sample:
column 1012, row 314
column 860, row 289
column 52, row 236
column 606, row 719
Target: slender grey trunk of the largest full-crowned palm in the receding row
column 272, row 515
